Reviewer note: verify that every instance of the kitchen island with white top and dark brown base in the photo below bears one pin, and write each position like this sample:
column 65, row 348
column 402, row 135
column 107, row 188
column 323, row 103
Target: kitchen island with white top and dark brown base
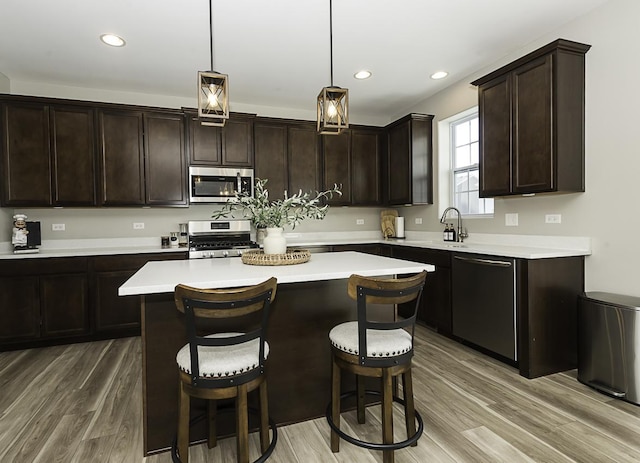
column 310, row 300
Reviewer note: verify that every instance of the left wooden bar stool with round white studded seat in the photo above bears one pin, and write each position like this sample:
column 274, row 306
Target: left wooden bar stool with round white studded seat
column 221, row 361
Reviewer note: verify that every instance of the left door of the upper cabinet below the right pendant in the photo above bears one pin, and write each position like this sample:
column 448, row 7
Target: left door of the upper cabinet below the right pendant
column 337, row 166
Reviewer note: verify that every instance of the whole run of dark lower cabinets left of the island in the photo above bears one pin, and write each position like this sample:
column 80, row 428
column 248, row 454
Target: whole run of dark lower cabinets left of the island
column 49, row 301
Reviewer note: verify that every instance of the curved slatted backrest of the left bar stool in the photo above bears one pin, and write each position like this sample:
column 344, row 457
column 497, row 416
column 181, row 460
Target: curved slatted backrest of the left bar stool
column 236, row 315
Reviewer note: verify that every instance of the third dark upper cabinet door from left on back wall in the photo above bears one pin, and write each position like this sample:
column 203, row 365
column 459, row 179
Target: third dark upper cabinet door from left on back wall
column 122, row 157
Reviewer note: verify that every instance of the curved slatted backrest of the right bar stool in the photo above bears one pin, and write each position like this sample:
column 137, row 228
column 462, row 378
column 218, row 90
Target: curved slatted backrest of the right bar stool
column 375, row 291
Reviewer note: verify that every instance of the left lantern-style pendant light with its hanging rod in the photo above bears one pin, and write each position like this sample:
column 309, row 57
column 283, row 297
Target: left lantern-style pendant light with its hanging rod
column 213, row 90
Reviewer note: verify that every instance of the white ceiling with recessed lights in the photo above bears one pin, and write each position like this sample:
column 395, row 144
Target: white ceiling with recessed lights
column 276, row 53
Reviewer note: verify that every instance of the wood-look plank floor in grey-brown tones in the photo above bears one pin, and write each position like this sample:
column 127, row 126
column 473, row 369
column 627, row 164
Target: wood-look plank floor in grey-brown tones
column 83, row 403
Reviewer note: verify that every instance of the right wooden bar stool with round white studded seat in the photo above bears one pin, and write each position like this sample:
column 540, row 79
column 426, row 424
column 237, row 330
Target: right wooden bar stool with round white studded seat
column 380, row 350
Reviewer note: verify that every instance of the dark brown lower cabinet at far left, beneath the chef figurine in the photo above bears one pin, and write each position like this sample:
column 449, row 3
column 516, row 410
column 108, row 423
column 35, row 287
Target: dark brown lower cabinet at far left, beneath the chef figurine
column 42, row 300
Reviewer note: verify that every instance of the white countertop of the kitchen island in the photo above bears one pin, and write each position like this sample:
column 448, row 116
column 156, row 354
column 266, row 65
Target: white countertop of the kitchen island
column 162, row 277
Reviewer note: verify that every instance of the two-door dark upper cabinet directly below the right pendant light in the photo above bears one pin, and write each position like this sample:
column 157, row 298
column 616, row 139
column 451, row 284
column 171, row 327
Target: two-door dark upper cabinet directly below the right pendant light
column 352, row 160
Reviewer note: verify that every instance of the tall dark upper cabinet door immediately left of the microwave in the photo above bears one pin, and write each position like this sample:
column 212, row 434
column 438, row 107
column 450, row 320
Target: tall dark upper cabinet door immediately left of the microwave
column 165, row 163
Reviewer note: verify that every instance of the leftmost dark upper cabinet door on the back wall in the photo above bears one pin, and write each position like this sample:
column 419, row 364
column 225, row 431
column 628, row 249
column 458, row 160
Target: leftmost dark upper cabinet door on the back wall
column 26, row 155
